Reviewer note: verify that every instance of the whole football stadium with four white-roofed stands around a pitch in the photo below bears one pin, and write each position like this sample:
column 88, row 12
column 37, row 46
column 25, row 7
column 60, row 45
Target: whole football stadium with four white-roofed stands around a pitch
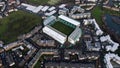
column 68, row 31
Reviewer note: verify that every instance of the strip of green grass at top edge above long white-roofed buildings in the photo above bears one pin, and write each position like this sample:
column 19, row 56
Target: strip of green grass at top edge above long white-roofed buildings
column 43, row 2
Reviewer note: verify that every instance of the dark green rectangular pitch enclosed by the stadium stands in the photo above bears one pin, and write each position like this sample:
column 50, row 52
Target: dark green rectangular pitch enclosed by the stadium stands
column 63, row 28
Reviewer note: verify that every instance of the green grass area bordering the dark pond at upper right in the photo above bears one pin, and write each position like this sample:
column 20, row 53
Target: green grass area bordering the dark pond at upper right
column 98, row 12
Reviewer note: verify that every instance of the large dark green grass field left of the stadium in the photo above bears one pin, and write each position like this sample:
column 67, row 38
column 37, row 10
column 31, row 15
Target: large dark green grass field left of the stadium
column 17, row 23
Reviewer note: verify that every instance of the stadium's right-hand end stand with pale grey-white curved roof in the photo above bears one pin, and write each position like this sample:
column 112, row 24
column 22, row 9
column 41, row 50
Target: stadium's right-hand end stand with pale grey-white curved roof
column 75, row 35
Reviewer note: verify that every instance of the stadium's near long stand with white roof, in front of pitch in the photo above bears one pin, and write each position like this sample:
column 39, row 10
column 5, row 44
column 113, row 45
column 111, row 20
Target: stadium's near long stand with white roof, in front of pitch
column 55, row 34
